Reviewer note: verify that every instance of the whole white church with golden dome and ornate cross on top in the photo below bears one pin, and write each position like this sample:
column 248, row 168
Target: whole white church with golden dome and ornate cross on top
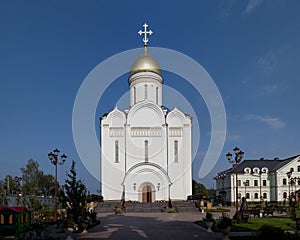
column 146, row 153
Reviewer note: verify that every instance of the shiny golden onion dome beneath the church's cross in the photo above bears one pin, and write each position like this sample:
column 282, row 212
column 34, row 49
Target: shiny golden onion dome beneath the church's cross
column 145, row 63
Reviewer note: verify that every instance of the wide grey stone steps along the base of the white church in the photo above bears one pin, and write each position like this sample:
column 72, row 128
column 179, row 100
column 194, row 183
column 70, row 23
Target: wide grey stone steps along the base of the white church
column 109, row 206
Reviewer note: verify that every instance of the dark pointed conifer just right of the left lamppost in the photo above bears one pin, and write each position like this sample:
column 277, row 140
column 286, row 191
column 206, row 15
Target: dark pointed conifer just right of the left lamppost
column 74, row 196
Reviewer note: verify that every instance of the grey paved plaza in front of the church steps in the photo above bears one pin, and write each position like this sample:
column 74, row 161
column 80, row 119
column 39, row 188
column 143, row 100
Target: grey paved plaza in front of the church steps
column 148, row 226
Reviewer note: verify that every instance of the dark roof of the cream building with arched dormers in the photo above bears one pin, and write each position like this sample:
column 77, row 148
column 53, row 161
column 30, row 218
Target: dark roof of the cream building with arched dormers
column 272, row 164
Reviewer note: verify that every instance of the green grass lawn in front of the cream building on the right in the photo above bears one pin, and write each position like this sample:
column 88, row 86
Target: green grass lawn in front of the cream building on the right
column 254, row 224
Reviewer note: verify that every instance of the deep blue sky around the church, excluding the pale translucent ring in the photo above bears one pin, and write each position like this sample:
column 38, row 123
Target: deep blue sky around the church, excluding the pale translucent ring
column 251, row 49
